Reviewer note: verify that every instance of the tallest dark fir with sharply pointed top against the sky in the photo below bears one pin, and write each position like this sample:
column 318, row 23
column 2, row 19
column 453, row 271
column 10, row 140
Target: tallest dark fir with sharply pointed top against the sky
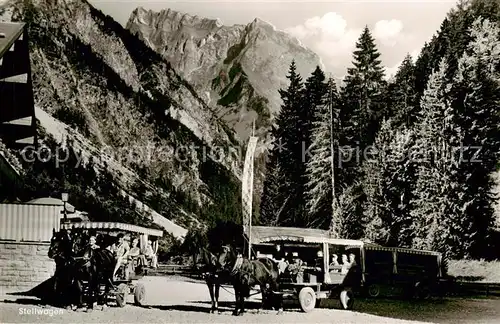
column 363, row 104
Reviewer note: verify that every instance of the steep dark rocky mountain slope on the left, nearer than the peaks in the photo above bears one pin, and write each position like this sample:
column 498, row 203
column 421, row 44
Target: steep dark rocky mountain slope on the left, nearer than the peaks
column 128, row 105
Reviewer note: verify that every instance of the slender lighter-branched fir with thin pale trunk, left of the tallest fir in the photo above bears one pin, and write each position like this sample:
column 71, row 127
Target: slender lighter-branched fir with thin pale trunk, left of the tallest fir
column 321, row 173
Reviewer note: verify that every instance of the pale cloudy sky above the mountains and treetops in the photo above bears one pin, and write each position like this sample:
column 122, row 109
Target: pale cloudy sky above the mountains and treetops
column 328, row 27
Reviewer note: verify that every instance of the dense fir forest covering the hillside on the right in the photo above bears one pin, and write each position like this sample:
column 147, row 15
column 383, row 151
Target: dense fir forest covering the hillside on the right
column 413, row 157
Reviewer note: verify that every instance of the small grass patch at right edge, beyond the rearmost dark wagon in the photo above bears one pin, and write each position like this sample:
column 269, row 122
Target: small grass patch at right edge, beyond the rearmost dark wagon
column 475, row 270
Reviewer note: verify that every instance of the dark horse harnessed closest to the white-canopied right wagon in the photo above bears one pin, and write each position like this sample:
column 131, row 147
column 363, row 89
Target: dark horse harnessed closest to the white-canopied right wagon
column 246, row 274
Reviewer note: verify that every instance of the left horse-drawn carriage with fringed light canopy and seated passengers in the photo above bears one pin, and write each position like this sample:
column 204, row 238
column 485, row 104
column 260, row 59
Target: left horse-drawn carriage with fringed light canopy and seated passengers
column 130, row 269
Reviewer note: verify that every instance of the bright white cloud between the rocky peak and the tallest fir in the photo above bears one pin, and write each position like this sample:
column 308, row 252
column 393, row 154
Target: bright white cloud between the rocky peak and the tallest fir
column 330, row 37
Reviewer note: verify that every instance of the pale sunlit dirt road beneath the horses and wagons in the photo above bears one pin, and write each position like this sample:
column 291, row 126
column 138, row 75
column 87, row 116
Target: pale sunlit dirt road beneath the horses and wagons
column 176, row 300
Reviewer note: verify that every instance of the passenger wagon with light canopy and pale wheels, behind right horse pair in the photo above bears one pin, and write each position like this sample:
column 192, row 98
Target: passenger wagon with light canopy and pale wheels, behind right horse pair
column 307, row 253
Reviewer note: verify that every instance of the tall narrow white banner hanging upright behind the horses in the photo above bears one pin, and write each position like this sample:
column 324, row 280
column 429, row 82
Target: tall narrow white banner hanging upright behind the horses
column 247, row 183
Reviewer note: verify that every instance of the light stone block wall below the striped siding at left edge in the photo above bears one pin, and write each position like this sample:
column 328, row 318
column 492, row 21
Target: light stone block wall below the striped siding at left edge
column 24, row 265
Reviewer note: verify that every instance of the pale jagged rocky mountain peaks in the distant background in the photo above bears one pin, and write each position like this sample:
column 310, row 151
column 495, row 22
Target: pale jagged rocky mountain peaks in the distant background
column 238, row 69
